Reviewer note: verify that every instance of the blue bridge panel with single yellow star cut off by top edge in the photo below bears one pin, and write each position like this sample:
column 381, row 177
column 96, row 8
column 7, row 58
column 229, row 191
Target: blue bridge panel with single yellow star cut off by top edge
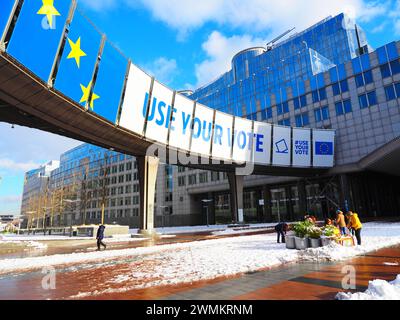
column 37, row 34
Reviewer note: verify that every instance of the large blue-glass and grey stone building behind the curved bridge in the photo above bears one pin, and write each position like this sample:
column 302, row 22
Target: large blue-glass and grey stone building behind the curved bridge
column 327, row 76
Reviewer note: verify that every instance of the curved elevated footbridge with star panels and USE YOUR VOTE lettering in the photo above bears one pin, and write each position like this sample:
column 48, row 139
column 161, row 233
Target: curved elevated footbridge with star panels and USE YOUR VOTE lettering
column 59, row 74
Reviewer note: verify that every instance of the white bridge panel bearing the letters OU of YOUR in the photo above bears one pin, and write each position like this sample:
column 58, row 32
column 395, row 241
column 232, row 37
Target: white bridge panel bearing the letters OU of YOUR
column 202, row 130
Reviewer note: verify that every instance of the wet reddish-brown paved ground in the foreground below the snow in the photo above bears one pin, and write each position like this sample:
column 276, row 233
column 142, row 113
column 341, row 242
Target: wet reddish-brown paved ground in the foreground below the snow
column 300, row 281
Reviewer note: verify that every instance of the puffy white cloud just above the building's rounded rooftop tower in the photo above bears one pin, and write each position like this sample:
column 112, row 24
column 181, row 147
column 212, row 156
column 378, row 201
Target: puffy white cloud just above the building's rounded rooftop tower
column 220, row 50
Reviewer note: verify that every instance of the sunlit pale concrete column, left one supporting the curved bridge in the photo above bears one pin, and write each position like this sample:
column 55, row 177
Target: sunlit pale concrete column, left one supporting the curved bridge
column 147, row 172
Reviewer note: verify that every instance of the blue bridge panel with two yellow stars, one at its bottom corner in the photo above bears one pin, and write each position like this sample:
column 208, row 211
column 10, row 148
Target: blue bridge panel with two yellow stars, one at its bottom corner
column 75, row 73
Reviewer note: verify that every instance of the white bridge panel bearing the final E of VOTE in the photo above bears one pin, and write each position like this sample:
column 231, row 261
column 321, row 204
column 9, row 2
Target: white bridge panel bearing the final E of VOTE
column 262, row 143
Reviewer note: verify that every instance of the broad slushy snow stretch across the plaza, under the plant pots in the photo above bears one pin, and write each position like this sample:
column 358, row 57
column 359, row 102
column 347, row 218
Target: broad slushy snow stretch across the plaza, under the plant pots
column 202, row 260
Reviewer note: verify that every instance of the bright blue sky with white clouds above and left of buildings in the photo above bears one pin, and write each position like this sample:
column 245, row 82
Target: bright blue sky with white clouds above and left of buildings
column 185, row 44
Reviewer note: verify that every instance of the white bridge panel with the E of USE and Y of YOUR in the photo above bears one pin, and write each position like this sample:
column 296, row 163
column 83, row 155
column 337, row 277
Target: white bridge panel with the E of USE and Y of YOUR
column 181, row 121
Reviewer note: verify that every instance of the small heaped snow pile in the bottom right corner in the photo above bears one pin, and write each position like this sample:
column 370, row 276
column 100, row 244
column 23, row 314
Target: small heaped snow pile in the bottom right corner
column 377, row 290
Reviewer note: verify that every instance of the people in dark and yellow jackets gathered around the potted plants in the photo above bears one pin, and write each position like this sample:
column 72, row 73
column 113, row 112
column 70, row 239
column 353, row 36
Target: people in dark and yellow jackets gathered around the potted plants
column 348, row 224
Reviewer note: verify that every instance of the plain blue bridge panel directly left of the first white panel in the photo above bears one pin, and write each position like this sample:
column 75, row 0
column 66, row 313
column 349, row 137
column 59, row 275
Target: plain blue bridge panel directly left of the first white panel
column 110, row 82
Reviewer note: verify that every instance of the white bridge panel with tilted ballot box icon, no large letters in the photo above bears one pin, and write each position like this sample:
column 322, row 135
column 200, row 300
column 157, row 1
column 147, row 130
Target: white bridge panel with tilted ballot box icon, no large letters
column 281, row 146
